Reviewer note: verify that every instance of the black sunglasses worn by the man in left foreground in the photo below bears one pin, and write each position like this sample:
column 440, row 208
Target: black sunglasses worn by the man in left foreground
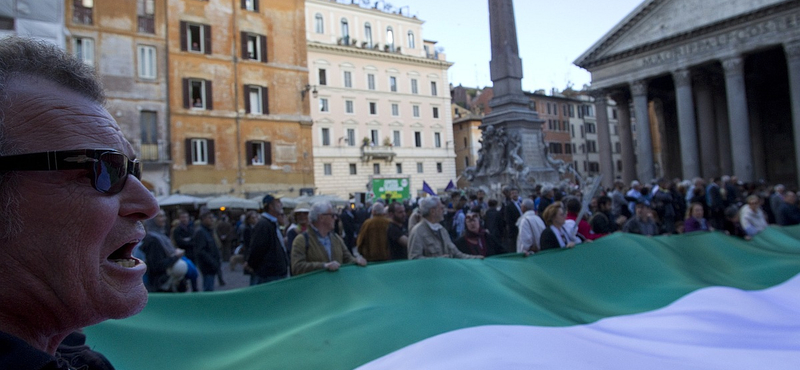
column 108, row 168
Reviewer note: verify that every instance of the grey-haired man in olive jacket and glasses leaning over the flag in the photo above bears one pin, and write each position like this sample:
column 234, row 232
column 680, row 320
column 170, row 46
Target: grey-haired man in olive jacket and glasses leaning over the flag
column 320, row 248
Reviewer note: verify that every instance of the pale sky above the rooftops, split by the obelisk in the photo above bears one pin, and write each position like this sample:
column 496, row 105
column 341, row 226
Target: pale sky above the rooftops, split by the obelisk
column 551, row 35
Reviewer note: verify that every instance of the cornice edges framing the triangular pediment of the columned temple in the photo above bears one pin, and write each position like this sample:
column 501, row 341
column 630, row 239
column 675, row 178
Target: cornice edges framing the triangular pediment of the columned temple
column 587, row 62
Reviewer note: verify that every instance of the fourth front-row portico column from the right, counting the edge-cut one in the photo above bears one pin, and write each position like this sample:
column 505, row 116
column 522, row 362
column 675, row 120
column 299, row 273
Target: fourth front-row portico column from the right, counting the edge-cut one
column 644, row 150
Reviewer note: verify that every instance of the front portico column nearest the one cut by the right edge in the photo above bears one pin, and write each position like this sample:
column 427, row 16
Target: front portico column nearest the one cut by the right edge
column 742, row 153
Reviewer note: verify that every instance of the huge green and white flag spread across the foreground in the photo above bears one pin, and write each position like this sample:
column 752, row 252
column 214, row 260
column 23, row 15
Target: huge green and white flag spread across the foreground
column 698, row 301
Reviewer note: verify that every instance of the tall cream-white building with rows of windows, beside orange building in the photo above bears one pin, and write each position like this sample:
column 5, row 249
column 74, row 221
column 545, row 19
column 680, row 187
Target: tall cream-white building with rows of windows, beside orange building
column 379, row 99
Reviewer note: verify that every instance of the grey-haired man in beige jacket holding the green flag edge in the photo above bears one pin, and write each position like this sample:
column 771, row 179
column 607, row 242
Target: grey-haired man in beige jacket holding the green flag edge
column 429, row 239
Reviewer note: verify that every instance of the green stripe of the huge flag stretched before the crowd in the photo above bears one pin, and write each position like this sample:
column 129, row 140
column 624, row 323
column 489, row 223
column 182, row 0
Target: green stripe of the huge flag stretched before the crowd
column 345, row 319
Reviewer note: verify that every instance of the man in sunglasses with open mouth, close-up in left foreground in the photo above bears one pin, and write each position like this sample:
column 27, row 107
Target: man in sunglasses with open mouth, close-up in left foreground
column 72, row 207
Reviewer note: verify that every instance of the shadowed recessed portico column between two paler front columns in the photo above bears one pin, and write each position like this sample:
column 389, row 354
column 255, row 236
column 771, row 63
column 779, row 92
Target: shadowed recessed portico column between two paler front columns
column 709, row 157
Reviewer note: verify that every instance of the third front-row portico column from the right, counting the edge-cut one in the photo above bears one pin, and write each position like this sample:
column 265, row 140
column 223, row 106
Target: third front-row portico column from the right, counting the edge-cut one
column 687, row 127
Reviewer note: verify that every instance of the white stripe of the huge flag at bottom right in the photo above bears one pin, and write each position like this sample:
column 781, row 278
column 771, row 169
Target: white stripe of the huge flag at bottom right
column 712, row 328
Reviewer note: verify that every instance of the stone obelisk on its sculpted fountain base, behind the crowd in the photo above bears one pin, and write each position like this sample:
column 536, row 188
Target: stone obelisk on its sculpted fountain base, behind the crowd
column 513, row 150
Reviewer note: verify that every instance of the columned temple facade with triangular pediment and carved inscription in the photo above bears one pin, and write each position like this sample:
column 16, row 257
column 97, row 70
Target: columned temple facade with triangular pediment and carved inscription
column 714, row 86
